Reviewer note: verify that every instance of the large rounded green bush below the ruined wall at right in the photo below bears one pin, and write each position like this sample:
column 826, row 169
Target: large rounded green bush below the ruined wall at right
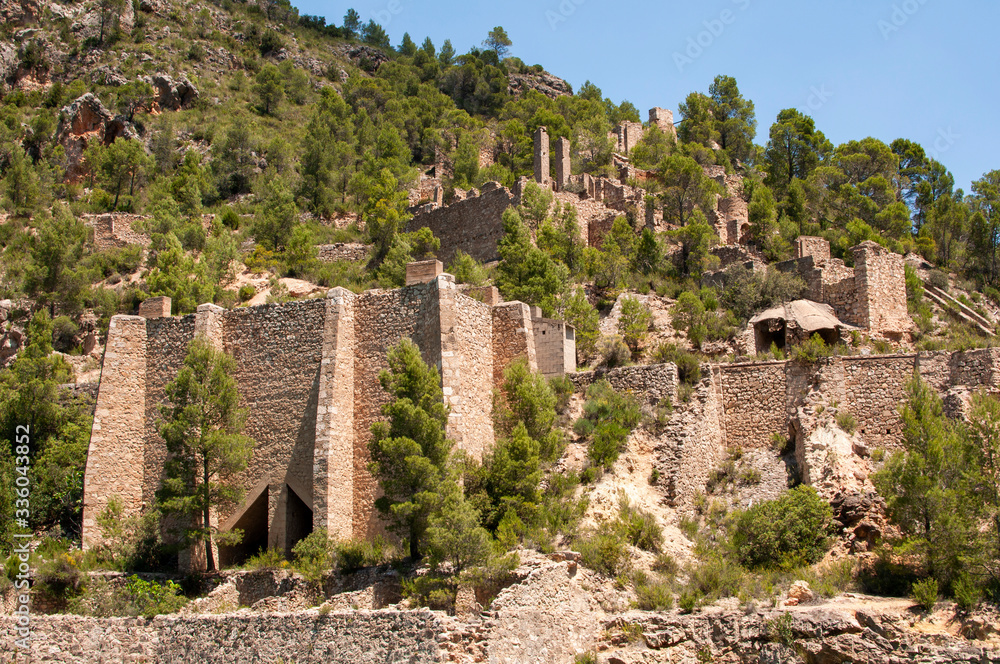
column 790, row 530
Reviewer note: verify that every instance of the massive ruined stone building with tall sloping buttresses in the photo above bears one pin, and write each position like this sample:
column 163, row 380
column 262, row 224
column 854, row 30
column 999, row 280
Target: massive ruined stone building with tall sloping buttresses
column 308, row 372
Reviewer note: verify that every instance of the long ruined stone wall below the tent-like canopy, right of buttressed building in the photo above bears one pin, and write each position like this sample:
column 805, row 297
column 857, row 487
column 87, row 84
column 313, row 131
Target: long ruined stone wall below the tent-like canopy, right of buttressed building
column 748, row 405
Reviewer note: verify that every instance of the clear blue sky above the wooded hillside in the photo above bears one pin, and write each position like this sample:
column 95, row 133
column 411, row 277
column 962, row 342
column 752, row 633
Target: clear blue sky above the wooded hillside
column 919, row 69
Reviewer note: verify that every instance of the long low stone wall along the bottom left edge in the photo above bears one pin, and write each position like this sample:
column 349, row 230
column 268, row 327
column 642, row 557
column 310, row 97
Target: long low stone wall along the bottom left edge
column 350, row 637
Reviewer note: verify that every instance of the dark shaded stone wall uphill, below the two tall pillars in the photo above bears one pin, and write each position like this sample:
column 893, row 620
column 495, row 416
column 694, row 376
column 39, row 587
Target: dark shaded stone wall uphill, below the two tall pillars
column 474, row 225
